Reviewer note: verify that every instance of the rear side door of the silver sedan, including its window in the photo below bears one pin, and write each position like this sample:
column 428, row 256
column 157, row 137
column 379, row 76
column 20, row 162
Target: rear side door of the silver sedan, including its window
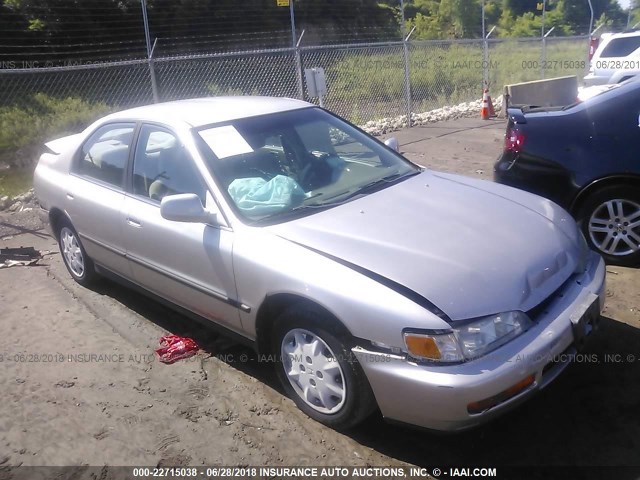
column 95, row 196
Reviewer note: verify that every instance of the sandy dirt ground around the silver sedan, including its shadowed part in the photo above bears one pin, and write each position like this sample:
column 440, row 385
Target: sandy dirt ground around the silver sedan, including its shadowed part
column 80, row 383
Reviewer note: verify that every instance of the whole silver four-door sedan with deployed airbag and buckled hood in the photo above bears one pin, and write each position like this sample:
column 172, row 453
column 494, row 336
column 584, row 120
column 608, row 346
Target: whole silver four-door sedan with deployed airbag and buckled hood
column 371, row 282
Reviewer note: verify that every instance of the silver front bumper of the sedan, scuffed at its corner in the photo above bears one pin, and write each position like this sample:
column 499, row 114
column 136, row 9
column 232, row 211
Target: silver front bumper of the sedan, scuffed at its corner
column 439, row 396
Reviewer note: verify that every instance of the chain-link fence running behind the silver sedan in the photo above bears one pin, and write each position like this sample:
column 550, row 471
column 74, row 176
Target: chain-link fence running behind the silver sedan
column 365, row 81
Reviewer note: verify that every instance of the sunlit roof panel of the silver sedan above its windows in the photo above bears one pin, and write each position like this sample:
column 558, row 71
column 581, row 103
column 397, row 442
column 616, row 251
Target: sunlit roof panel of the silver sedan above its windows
column 205, row 111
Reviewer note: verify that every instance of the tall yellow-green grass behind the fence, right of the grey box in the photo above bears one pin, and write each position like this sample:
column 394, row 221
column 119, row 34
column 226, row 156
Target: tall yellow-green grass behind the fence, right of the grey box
column 369, row 84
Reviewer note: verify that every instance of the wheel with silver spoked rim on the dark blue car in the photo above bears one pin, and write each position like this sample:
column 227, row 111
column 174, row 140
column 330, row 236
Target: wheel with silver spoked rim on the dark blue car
column 610, row 221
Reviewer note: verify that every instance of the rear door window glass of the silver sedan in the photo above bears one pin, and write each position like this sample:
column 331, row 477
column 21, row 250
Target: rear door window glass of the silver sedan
column 104, row 155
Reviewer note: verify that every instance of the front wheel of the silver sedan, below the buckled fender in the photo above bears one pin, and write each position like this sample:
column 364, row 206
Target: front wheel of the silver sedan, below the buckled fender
column 337, row 391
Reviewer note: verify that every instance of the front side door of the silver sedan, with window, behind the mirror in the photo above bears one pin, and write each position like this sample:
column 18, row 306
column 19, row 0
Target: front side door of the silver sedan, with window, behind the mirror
column 186, row 263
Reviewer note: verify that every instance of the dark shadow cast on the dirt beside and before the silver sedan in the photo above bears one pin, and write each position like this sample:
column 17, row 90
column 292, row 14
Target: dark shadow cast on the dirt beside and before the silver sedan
column 587, row 416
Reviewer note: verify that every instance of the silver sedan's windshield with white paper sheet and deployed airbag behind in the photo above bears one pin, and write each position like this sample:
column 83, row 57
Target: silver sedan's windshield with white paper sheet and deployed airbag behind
column 274, row 165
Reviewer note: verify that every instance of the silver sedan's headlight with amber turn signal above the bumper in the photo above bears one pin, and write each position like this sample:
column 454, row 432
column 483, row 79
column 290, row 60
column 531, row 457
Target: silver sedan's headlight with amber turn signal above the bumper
column 468, row 341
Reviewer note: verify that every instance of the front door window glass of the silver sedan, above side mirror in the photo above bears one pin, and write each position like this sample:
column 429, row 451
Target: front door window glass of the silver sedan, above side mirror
column 161, row 166
